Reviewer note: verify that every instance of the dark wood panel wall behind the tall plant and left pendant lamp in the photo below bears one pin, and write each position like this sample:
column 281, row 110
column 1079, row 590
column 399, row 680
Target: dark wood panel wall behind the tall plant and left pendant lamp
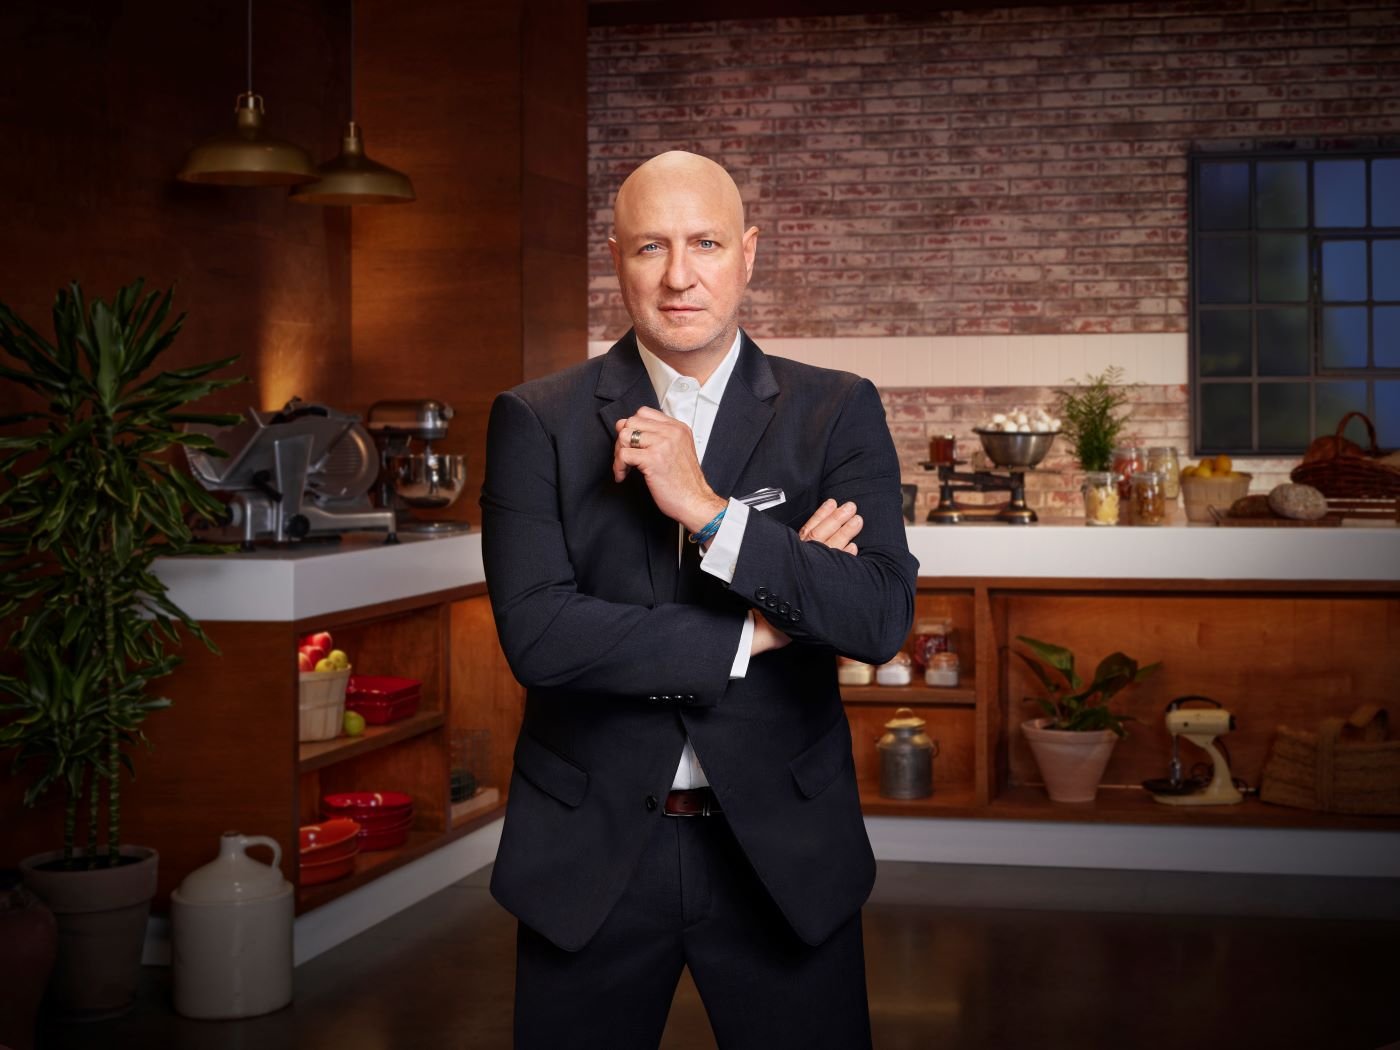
column 100, row 103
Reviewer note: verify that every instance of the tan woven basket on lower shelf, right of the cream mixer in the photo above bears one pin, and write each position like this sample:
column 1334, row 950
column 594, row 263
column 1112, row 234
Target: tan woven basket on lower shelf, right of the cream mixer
column 1347, row 766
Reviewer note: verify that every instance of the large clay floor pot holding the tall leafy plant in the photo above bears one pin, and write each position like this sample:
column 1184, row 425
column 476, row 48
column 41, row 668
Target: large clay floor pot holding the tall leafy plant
column 101, row 918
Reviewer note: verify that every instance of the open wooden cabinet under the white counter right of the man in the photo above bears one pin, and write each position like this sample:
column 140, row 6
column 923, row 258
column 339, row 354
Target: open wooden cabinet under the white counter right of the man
column 1272, row 652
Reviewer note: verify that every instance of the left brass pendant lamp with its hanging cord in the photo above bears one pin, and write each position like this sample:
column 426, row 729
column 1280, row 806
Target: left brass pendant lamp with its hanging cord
column 248, row 156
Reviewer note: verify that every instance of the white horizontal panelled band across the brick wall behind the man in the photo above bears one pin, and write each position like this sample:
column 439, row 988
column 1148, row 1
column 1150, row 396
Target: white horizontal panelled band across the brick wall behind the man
column 988, row 360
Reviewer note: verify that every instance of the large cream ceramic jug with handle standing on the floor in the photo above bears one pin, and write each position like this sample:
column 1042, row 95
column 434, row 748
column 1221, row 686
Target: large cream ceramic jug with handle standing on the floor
column 232, row 929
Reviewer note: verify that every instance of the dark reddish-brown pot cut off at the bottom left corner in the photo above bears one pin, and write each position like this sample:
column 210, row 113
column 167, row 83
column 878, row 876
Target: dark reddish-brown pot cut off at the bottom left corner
column 29, row 944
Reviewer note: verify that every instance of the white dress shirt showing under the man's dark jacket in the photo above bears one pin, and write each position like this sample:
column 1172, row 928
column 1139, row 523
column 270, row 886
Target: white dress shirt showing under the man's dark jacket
column 685, row 400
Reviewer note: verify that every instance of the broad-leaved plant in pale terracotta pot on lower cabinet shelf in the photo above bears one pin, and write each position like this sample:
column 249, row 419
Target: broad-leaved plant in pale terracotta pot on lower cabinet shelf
column 1076, row 738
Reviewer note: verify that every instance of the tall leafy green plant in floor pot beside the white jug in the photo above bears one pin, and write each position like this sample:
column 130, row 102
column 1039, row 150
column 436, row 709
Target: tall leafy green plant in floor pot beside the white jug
column 90, row 500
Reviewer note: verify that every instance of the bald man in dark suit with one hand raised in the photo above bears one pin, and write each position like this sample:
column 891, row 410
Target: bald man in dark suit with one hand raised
column 680, row 538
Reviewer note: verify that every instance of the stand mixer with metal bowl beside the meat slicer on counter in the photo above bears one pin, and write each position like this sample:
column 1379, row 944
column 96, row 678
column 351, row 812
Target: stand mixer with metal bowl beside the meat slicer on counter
column 414, row 479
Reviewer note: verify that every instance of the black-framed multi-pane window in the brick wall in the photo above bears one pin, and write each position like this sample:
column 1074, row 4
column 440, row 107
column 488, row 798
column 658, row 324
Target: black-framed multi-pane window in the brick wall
column 1296, row 299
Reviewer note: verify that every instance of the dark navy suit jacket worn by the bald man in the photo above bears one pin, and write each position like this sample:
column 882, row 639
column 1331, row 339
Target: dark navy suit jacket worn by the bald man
column 622, row 660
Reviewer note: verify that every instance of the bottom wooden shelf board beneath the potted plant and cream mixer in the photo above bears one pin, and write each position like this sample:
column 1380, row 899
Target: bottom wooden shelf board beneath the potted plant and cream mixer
column 1129, row 806
